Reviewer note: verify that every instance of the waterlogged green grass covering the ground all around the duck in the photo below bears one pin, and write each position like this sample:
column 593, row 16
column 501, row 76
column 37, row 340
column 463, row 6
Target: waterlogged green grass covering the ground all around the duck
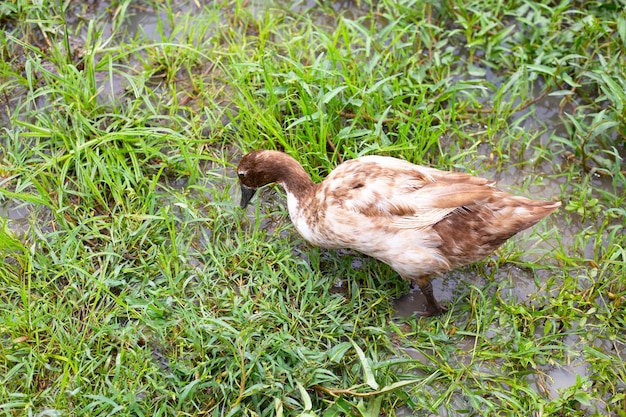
column 135, row 285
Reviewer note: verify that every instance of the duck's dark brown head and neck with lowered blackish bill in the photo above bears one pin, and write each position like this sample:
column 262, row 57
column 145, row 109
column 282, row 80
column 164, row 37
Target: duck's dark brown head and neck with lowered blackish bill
column 262, row 167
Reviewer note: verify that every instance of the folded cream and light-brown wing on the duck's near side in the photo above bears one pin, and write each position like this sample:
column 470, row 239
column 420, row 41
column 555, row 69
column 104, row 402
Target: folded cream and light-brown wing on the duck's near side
column 411, row 196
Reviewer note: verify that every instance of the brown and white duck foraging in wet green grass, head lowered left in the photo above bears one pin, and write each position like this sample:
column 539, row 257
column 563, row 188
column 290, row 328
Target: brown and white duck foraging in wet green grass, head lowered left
column 421, row 221
